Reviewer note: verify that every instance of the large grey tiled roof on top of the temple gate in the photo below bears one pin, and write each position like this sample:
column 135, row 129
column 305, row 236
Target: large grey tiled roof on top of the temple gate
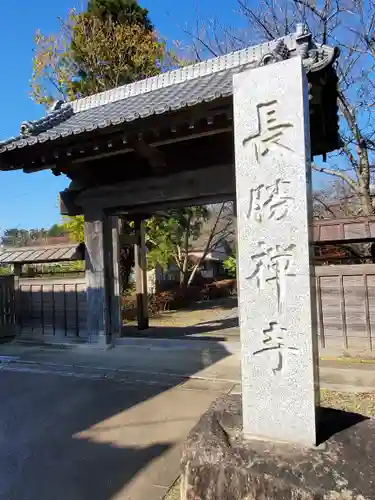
column 170, row 91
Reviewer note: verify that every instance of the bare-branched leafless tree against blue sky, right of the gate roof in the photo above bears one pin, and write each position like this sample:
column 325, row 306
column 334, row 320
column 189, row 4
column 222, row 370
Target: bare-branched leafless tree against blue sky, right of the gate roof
column 348, row 24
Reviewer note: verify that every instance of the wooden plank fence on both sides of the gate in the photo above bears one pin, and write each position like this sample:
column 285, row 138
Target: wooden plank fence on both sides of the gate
column 57, row 306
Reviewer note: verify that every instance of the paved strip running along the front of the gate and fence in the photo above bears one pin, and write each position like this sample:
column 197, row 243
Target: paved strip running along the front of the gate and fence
column 171, row 362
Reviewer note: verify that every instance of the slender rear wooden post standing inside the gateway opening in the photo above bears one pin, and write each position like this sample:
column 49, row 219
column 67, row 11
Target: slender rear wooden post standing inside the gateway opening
column 141, row 274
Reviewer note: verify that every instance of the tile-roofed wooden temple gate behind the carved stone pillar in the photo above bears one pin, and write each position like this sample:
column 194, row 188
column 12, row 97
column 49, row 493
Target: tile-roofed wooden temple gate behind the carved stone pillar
column 158, row 144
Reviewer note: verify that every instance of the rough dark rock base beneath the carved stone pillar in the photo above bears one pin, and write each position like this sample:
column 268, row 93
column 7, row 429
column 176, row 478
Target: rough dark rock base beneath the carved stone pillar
column 219, row 464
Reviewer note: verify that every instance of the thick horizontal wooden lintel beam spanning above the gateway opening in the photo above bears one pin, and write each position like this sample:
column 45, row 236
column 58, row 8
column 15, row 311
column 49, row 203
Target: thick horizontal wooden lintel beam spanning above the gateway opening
column 189, row 186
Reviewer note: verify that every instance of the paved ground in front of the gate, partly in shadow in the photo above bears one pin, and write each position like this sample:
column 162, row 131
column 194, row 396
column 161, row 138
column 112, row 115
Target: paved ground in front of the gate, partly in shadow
column 81, row 423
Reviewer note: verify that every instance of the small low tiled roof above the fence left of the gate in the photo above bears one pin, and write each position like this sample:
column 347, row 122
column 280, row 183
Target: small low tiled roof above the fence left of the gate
column 35, row 255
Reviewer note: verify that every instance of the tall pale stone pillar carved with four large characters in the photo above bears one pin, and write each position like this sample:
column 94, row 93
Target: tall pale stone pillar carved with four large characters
column 276, row 297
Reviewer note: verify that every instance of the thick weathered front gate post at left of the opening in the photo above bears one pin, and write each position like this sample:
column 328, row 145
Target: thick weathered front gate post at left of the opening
column 103, row 305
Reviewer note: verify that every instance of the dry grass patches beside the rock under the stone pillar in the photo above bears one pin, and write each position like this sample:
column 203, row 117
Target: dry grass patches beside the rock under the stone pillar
column 363, row 403
